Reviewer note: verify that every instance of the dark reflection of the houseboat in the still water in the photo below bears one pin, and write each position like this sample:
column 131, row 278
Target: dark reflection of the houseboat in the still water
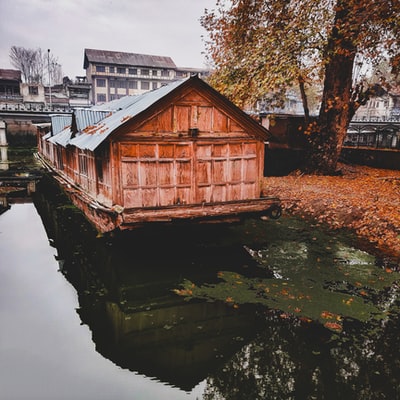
column 125, row 286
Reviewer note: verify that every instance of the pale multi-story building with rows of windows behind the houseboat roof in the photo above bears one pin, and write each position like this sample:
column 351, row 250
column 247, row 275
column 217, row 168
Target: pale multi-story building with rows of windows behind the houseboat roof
column 115, row 74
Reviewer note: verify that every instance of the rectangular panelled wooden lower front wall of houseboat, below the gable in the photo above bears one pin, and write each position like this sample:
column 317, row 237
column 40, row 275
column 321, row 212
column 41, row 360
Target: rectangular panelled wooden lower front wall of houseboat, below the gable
column 154, row 174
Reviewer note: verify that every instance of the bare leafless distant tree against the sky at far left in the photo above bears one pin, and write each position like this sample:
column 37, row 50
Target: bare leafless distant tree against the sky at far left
column 36, row 65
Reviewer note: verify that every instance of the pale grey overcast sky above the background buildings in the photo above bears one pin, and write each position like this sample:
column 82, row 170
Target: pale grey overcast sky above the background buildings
column 66, row 27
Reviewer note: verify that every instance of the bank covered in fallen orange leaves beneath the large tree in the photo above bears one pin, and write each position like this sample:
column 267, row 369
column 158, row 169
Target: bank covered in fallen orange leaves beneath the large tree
column 363, row 199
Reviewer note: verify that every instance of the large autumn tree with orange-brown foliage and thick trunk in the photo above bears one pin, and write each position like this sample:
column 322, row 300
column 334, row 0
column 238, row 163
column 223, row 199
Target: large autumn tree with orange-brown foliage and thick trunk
column 267, row 46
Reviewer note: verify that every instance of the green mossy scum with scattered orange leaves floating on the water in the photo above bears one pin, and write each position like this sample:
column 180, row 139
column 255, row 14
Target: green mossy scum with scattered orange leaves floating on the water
column 313, row 275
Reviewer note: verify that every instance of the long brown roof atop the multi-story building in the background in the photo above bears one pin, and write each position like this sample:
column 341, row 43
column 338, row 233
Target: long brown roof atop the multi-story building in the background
column 127, row 59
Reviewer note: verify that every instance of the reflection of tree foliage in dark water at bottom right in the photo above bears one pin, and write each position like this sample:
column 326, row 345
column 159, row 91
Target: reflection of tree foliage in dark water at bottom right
column 290, row 362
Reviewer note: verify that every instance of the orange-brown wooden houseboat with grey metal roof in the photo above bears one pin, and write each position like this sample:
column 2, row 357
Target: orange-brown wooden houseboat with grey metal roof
column 182, row 152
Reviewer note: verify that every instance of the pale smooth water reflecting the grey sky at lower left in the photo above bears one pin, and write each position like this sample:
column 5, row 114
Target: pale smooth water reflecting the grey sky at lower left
column 45, row 350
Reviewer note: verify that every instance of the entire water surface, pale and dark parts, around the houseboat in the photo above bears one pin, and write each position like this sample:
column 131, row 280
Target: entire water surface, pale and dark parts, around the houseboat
column 265, row 310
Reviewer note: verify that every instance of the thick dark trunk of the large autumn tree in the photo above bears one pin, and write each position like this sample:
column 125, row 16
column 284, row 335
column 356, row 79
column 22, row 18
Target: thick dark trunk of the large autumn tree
column 328, row 136
